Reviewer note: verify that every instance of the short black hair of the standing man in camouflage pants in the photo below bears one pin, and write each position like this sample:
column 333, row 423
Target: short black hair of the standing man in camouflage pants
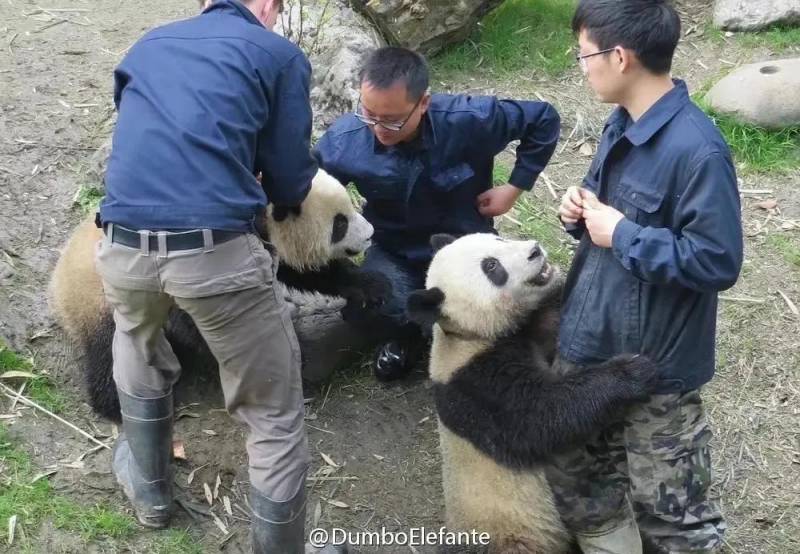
column 651, row 28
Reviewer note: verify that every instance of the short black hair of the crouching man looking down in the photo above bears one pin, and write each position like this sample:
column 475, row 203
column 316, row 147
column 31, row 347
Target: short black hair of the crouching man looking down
column 391, row 64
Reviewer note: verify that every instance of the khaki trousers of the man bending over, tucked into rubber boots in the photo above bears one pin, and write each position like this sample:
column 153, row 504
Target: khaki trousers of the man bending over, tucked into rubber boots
column 228, row 290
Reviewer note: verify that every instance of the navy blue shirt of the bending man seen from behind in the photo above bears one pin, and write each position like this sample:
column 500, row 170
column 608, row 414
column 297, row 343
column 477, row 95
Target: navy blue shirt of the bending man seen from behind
column 204, row 105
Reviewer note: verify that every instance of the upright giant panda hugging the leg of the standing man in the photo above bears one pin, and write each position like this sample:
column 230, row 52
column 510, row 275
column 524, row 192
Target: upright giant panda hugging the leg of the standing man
column 504, row 402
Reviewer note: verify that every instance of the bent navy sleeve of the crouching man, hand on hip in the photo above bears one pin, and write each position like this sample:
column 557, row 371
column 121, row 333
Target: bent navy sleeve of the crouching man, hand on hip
column 536, row 125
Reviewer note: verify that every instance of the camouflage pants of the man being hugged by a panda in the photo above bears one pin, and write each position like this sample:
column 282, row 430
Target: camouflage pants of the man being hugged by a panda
column 657, row 457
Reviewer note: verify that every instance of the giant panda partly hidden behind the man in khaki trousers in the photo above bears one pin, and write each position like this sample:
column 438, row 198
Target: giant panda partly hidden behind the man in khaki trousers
column 313, row 241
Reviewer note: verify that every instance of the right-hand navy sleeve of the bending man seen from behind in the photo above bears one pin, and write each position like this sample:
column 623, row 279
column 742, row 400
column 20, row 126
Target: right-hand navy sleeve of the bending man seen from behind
column 283, row 154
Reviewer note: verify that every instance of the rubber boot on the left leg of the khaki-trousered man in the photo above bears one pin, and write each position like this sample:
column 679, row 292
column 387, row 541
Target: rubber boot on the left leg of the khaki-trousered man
column 142, row 457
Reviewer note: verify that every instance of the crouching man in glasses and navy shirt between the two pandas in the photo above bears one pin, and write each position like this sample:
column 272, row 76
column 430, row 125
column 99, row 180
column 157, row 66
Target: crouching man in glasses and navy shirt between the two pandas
column 424, row 164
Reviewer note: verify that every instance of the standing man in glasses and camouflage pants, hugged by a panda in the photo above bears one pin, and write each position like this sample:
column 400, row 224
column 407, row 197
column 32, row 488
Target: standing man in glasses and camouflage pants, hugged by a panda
column 658, row 218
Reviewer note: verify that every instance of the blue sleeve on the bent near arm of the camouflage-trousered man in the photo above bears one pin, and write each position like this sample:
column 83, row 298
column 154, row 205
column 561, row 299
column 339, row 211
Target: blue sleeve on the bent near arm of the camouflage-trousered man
column 704, row 251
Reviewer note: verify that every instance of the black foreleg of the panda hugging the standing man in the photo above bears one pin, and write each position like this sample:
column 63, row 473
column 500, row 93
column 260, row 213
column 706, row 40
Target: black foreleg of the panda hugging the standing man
column 520, row 417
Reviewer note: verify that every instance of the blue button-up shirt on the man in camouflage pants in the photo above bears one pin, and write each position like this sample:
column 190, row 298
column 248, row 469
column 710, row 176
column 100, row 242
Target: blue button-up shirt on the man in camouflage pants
column 655, row 291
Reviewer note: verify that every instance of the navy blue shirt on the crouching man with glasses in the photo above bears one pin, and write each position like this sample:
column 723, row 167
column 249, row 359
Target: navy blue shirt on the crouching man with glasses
column 431, row 185
